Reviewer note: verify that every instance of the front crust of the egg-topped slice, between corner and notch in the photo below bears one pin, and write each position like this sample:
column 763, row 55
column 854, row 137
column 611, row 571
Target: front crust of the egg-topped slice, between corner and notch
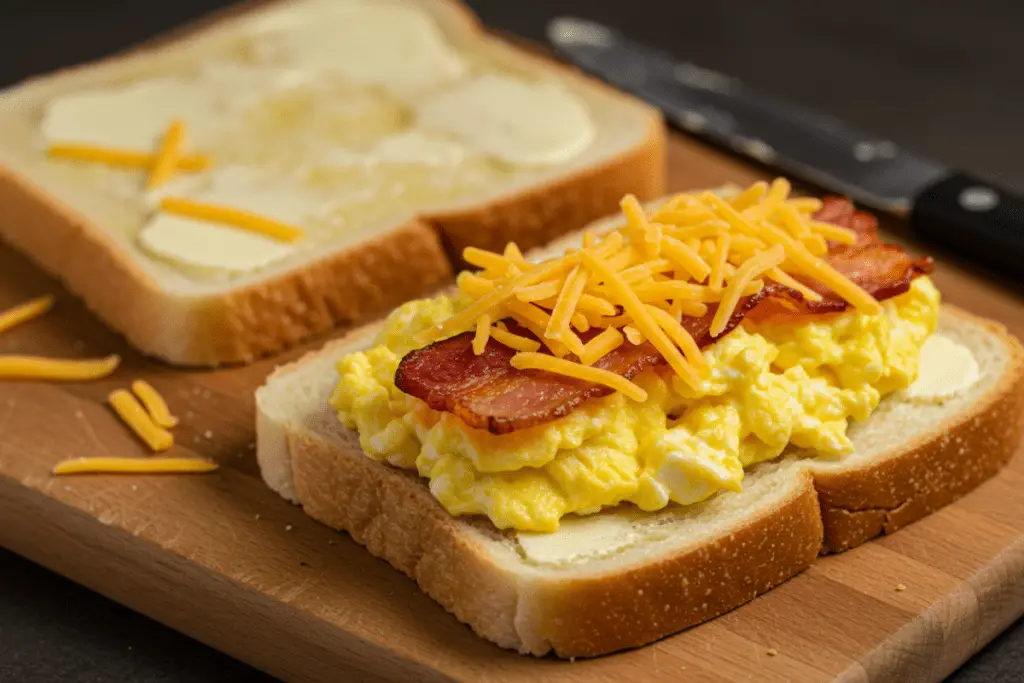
column 601, row 615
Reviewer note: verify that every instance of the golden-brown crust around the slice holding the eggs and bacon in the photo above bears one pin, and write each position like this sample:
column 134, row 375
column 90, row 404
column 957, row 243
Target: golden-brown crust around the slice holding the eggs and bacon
column 393, row 514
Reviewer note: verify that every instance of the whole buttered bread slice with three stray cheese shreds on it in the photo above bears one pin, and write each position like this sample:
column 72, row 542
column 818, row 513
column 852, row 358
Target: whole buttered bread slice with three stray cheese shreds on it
column 300, row 166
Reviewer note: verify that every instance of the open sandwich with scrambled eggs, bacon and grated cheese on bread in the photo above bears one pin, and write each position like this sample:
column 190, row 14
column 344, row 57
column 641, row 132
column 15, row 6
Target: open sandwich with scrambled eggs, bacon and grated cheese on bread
column 595, row 447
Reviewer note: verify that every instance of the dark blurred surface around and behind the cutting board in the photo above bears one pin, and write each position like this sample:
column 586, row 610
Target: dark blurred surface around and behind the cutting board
column 945, row 78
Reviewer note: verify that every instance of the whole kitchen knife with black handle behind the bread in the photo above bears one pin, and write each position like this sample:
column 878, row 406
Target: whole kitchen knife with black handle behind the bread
column 949, row 207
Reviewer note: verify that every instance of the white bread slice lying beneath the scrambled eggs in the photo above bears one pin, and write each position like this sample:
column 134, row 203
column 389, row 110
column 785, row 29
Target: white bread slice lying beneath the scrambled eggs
column 623, row 578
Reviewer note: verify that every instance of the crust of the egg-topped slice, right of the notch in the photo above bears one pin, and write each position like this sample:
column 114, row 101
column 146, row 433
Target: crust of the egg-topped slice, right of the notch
column 933, row 472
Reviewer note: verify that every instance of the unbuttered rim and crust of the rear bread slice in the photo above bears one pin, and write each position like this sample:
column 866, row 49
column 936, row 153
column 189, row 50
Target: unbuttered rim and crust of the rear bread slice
column 57, row 217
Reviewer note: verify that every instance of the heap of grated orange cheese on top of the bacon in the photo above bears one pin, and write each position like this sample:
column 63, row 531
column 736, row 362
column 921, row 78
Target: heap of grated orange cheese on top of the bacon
column 638, row 282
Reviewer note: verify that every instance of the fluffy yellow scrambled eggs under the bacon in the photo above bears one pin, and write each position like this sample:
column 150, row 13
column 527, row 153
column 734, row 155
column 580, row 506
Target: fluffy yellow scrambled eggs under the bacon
column 771, row 387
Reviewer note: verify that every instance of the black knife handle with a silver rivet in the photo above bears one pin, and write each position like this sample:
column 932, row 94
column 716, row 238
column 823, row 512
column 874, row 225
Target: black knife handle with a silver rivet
column 971, row 217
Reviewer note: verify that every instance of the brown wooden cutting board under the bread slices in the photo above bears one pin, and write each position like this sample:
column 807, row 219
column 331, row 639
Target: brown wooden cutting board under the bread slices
column 224, row 560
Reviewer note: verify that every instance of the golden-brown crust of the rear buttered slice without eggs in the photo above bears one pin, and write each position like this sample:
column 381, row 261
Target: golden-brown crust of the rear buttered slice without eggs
column 247, row 323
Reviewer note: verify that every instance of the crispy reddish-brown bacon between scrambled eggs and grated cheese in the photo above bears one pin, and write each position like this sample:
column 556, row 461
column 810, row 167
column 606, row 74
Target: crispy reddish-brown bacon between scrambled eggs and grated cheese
column 488, row 394
